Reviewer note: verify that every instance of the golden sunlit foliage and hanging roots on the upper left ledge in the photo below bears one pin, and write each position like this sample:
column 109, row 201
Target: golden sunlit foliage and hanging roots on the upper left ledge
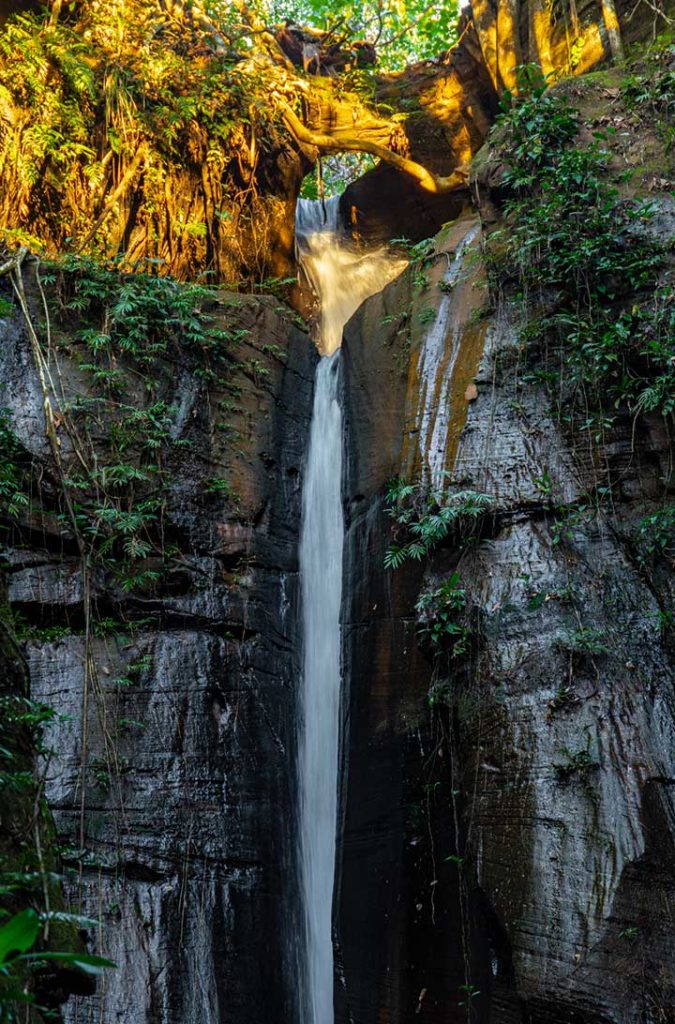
column 152, row 101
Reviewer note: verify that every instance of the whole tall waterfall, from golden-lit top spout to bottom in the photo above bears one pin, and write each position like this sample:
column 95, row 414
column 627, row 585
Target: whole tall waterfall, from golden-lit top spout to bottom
column 342, row 279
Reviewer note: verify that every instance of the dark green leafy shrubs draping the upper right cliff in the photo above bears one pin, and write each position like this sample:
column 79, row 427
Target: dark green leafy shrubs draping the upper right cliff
column 577, row 251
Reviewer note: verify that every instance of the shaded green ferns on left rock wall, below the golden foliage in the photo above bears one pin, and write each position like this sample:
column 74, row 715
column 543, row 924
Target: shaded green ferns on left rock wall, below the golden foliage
column 131, row 332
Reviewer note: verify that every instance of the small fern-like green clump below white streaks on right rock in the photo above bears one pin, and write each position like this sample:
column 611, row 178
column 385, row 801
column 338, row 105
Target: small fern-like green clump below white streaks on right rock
column 425, row 519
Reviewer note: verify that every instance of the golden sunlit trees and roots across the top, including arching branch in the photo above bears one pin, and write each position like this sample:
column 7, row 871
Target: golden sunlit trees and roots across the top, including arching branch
column 180, row 132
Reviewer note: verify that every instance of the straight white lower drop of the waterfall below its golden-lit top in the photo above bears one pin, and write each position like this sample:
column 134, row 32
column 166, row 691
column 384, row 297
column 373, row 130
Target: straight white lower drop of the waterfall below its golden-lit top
column 321, row 574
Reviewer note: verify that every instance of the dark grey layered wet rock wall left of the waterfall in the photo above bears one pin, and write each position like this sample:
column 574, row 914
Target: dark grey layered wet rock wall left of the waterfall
column 173, row 774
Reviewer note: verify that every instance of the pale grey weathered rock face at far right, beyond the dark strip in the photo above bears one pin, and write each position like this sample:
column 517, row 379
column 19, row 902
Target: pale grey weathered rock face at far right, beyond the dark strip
column 570, row 735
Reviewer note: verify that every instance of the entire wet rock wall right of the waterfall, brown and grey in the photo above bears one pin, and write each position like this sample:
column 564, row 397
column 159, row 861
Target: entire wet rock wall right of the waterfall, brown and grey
column 557, row 750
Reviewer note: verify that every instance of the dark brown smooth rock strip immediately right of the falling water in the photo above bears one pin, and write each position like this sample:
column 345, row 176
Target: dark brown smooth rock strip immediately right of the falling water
column 401, row 955
